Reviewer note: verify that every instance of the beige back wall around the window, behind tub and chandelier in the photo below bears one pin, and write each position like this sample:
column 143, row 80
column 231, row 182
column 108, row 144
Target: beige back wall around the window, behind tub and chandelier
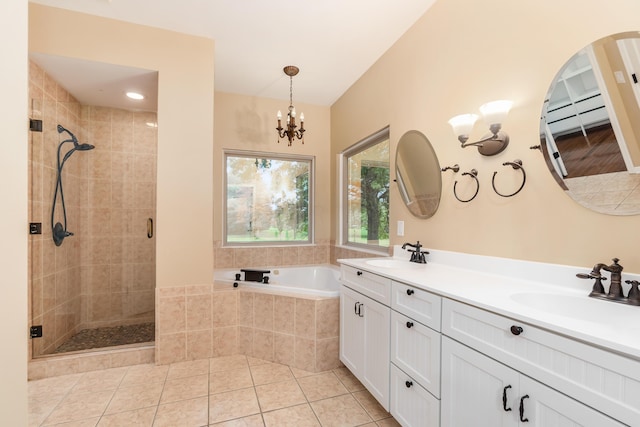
column 248, row 123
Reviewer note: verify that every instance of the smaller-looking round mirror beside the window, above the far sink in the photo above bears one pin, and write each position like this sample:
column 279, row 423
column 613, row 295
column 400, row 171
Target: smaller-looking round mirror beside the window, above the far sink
column 418, row 174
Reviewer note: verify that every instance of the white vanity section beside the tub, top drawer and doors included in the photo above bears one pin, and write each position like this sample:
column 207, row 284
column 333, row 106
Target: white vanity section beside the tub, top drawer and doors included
column 365, row 330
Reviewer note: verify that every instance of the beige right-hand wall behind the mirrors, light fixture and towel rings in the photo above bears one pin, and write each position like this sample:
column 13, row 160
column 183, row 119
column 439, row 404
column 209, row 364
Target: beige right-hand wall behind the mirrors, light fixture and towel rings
column 459, row 55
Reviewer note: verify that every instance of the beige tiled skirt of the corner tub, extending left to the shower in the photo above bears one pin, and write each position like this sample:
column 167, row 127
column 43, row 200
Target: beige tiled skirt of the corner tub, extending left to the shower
column 197, row 322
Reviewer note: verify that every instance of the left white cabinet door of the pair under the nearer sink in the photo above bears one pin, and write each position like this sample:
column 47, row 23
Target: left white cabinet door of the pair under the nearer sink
column 473, row 388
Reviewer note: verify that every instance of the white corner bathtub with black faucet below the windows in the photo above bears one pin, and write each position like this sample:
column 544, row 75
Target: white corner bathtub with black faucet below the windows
column 318, row 280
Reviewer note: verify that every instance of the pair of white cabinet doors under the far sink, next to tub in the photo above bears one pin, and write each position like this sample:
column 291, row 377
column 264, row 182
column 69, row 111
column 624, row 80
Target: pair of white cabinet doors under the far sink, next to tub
column 364, row 342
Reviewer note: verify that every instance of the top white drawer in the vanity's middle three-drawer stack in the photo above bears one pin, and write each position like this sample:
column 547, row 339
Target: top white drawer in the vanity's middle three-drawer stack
column 416, row 303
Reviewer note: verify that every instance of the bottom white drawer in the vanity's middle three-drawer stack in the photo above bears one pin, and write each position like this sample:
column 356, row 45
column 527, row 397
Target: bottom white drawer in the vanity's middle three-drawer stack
column 412, row 405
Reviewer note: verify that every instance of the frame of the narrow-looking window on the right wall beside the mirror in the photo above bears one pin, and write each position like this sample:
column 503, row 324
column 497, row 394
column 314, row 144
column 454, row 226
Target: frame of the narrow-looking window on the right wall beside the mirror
column 370, row 141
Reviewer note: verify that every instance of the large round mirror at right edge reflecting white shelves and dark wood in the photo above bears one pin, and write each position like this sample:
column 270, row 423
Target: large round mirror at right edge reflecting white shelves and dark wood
column 590, row 125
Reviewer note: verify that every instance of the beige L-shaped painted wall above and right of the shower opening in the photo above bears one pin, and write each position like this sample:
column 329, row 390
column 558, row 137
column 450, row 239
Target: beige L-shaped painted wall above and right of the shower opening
column 185, row 135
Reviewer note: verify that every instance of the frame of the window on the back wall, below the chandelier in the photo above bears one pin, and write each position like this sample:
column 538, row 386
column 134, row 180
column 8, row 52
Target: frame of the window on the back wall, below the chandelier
column 276, row 156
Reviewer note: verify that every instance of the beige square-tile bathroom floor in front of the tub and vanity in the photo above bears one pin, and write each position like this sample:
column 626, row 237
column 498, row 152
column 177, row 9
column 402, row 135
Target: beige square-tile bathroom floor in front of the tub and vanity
column 225, row 391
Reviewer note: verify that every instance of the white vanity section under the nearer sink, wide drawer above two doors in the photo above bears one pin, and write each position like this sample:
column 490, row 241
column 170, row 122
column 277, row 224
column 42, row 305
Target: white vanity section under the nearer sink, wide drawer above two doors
column 497, row 362
